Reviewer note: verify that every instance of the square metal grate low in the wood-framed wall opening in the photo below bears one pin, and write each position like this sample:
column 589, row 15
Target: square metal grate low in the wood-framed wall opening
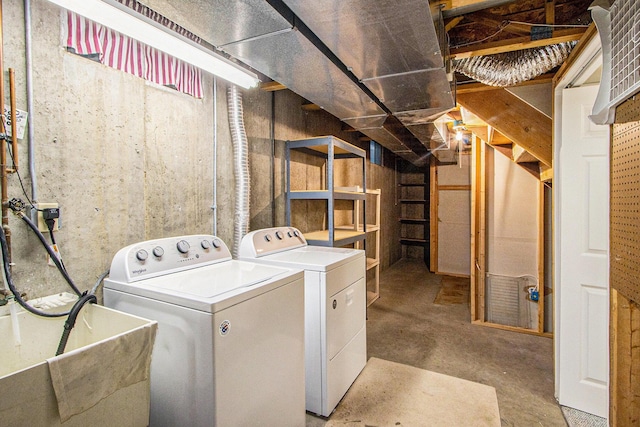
column 507, row 302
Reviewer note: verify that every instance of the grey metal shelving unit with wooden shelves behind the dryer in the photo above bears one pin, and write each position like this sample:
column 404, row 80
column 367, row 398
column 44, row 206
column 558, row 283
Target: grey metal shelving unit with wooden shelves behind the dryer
column 330, row 149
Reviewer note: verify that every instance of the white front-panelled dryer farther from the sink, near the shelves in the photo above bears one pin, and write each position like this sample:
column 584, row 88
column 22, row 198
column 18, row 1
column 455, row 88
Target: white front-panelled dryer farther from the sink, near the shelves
column 335, row 309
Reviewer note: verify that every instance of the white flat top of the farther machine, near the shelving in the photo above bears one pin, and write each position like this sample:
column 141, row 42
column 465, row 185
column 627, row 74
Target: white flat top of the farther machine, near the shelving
column 317, row 258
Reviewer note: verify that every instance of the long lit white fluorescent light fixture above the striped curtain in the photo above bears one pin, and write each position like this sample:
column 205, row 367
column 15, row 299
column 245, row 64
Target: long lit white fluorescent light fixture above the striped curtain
column 113, row 15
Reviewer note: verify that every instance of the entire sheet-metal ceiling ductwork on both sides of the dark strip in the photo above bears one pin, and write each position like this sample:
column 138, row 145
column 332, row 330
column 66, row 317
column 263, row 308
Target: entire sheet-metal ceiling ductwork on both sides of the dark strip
column 372, row 64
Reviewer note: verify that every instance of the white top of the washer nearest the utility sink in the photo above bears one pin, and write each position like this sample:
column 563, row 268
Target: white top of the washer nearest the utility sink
column 213, row 287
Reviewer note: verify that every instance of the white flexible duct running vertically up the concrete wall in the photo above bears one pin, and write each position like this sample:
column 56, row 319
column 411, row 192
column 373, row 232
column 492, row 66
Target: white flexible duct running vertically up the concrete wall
column 240, row 166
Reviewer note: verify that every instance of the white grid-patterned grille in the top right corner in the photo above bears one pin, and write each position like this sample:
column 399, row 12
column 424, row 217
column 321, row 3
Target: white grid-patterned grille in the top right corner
column 625, row 49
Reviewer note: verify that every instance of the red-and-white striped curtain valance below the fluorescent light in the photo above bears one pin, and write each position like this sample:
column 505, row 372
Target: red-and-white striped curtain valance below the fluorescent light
column 123, row 53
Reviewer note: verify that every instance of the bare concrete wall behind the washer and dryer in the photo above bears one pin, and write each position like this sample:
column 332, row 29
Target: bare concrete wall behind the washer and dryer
column 128, row 160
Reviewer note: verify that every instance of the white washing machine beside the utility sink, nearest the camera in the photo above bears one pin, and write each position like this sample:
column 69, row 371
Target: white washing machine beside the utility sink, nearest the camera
column 230, row 344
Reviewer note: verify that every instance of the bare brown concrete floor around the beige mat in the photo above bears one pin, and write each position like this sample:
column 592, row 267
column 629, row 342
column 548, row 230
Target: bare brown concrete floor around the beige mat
column 405, row 326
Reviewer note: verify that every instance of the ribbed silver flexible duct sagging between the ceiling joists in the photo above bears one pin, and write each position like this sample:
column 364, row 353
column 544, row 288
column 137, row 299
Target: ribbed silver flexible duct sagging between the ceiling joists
column 508, row 69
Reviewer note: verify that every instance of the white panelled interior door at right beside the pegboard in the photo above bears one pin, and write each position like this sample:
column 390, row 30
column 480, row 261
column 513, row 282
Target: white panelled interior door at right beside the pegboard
column 583, row 288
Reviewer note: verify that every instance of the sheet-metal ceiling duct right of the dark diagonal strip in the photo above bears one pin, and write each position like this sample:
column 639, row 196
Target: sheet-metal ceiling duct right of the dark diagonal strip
column 397, row 50
